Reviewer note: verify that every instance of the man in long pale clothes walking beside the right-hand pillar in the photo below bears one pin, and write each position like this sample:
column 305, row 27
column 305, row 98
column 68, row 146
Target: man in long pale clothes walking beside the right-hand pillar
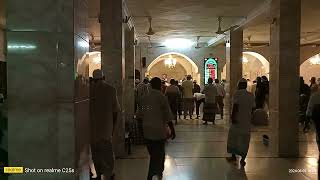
column 239, row 132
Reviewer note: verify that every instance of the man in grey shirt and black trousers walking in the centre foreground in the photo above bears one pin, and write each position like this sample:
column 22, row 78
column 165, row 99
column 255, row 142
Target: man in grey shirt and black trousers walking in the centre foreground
column 157, row 119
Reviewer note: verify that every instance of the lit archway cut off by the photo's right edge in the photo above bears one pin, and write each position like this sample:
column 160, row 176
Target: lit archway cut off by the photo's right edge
column 310, row 68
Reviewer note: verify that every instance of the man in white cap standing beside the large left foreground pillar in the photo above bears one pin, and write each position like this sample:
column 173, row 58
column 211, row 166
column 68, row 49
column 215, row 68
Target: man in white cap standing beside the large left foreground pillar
column 104, row 109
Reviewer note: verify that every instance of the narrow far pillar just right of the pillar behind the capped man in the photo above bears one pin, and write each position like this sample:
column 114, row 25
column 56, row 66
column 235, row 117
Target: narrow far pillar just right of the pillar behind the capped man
column 130, row 74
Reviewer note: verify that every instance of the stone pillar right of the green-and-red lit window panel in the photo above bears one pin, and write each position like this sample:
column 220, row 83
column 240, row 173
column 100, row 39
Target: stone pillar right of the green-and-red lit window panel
column 234, row 51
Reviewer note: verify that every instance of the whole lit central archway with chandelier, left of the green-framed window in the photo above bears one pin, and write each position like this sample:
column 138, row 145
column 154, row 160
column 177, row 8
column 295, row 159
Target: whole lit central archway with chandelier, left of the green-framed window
column 173, row 65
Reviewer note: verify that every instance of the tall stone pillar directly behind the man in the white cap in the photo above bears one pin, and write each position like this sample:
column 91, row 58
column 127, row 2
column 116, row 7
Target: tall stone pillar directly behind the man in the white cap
column 113, row 59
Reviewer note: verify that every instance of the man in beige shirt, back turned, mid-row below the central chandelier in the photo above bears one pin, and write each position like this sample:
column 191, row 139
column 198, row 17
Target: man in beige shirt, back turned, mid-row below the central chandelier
column 188, row 102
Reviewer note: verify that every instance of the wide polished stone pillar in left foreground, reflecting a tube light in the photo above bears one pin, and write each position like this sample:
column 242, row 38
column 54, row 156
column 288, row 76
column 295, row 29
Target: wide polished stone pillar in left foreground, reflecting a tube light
column 47, row 99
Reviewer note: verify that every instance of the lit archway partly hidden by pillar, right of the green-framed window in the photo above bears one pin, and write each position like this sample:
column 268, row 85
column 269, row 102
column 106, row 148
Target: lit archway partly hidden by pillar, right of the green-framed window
column 253, row 65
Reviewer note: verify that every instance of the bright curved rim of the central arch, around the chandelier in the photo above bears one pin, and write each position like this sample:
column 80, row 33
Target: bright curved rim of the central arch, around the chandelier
column 188, row 64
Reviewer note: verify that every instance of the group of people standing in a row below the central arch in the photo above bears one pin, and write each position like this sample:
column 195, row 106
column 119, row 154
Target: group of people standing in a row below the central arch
column 187, row 96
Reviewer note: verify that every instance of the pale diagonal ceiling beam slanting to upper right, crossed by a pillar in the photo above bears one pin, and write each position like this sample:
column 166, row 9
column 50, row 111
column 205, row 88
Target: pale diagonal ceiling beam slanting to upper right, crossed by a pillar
column 243, row 22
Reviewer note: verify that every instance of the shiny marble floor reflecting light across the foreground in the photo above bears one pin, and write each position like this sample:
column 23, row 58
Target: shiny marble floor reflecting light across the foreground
column 199, row 151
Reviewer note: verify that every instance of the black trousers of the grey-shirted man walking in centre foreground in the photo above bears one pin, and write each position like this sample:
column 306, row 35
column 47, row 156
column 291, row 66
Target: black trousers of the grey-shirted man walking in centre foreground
column 156, row 149
